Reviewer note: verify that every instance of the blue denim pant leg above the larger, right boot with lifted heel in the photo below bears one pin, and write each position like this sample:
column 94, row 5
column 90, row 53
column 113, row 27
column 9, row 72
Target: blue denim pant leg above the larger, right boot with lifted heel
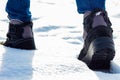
column 89, row 5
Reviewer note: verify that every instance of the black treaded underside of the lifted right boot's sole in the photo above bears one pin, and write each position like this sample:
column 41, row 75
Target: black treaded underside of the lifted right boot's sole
column 101, row 59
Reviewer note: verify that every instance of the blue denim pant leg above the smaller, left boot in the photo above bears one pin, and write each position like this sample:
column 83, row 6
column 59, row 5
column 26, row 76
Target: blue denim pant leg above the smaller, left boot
column 19, row 9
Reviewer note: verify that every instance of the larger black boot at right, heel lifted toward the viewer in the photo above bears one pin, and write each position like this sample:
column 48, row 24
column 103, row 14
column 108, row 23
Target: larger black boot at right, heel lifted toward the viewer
column 98, row 48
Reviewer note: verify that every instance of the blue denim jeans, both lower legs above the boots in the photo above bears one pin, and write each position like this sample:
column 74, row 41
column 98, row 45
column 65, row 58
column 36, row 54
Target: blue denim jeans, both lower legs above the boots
column 19, row 9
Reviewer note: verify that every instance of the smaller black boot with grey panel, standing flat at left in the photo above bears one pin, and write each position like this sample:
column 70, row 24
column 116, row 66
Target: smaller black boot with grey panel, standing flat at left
column 20, row 36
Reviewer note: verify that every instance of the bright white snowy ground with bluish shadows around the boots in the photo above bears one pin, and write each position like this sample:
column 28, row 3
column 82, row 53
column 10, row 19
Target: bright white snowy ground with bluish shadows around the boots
column 58, row 35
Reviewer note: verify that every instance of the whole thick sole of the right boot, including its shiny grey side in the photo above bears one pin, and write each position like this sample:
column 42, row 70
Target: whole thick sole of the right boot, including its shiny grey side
column 100, row 53
